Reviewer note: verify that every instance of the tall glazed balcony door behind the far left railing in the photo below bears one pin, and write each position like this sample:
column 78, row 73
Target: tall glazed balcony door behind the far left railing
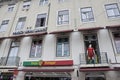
column 13, row 53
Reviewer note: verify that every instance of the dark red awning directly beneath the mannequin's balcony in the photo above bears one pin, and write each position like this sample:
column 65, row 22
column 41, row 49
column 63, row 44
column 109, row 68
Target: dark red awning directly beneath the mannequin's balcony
column 95, row 69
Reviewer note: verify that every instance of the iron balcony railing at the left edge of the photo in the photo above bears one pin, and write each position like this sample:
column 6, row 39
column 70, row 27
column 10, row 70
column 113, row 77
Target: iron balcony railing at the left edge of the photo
column 9, row 61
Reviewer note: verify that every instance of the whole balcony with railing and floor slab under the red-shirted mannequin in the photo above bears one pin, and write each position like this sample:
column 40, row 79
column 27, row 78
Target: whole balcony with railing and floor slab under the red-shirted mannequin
column 98, row 61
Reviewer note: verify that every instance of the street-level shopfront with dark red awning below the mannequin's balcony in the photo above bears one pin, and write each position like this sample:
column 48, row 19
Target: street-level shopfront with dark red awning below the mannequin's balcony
column 98, row 73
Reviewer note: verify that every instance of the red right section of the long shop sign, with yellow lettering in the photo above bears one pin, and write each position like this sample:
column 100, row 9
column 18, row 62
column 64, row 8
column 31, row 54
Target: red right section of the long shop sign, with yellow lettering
column 58, row 63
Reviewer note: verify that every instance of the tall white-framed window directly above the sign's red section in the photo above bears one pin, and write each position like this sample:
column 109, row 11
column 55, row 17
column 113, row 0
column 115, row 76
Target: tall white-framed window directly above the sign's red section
column 63, row 47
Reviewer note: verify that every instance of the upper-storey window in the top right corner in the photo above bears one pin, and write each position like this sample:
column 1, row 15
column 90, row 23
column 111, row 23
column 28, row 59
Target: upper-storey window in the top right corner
column 112, row 10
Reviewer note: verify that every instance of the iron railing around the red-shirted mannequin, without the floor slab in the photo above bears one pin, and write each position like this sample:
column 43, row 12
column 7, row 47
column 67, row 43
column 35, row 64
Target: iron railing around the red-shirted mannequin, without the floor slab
column 97, row 59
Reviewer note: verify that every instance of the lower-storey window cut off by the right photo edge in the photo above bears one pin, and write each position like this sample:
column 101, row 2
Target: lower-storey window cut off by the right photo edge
column 117, row 41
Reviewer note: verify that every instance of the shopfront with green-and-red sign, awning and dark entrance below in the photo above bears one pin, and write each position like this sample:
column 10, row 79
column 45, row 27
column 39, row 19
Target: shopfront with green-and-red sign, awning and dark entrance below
column 48, row 70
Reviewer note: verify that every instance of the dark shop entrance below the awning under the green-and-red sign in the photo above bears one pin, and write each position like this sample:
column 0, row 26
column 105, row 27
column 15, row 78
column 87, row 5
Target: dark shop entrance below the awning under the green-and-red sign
column 47, row 76
